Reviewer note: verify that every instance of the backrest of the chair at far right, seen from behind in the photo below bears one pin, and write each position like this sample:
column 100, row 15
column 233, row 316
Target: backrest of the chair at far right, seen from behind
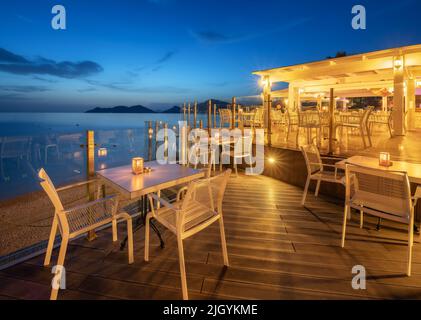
column 383, row 191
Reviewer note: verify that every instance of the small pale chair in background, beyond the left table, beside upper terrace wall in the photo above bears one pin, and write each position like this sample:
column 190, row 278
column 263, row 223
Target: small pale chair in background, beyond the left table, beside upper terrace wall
column 241, row 149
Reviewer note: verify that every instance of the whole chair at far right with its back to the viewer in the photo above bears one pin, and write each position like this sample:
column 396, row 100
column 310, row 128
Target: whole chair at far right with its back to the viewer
column 383, row 194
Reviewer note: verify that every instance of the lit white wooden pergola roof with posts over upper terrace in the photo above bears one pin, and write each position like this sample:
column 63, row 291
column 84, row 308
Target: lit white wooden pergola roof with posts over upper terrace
column 392, row 72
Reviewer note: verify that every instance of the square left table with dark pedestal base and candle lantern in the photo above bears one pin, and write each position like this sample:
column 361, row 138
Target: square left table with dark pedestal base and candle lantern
column 132, row 187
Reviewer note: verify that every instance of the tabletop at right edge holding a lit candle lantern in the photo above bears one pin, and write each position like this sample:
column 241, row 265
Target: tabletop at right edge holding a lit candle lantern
column 413, row 169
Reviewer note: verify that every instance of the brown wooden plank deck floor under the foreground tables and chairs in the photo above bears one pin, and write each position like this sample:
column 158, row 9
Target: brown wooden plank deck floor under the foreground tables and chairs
column 277, row 250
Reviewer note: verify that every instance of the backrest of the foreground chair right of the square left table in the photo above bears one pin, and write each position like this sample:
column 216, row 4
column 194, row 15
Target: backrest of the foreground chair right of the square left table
column 205, row 193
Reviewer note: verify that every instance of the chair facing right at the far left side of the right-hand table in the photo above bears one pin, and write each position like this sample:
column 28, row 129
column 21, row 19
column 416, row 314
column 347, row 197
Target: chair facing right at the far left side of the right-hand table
column 316, row 170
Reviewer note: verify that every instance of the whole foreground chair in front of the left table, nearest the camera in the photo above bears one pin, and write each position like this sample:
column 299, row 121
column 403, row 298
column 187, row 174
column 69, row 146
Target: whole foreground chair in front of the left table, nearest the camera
column 201, row 207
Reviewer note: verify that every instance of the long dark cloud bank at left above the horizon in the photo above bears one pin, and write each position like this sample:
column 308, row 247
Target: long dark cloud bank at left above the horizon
column 16, row 64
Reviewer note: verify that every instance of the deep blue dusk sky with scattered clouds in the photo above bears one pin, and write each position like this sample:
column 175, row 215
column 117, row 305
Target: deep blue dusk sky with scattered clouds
column 160, row 53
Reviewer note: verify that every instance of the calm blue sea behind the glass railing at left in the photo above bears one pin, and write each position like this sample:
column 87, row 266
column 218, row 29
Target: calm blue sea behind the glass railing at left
column 29, row 141
